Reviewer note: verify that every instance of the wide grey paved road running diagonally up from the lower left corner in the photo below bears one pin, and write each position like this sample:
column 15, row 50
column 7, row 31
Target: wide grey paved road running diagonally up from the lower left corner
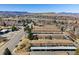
column 12, row 42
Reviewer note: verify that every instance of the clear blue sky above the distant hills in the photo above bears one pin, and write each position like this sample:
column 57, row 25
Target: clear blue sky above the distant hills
column 74, row 8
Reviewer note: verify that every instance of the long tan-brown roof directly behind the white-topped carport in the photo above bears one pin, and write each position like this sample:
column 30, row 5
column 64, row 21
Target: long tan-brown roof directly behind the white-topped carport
column 54, row 42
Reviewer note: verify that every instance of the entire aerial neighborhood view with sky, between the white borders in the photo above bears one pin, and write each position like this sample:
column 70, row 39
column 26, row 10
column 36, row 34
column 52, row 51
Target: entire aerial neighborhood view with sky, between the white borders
column 39, row 29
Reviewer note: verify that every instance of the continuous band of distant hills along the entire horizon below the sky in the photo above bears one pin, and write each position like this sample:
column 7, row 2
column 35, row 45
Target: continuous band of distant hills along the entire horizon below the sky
column 14, row 13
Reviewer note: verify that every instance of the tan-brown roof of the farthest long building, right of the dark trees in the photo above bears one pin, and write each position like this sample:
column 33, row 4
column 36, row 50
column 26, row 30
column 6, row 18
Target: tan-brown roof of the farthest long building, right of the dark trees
column 46, row 28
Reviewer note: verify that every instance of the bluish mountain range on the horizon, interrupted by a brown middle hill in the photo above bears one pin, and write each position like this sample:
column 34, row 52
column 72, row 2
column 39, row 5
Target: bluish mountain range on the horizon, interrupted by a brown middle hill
column 14, row 13
